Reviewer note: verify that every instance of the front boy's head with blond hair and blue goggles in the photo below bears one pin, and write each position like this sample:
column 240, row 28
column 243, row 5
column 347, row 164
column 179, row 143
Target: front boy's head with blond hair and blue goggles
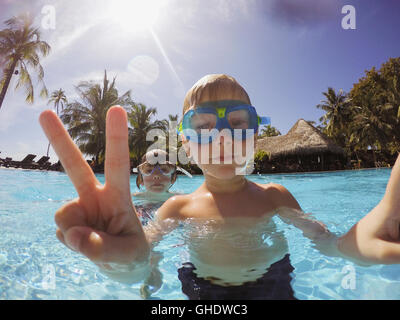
column 218, row 91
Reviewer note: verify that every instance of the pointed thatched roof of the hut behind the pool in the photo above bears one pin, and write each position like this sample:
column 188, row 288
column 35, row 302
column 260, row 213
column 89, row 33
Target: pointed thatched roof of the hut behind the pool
column 302, row 139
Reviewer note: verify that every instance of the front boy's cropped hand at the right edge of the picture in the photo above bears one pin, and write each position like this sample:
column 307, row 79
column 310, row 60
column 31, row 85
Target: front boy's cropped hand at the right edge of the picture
column 376, row 237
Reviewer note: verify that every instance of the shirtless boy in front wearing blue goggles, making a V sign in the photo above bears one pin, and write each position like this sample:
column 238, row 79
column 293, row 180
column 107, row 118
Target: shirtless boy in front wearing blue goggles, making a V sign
column 102, row 223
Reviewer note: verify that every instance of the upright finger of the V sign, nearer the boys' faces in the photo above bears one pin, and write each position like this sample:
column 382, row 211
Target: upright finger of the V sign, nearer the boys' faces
column 117, row 166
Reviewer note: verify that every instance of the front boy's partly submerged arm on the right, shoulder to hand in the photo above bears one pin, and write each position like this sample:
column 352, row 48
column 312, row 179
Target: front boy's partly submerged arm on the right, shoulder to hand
column 375, row 239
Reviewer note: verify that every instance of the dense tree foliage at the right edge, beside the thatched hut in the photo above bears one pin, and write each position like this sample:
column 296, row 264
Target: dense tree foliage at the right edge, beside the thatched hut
column 368, row 116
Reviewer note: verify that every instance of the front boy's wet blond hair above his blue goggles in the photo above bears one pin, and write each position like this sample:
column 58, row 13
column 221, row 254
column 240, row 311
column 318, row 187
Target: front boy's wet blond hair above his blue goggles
column 214, row 87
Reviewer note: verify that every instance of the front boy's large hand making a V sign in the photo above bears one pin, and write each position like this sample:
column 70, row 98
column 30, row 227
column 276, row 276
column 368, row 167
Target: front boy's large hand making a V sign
column 102, row 223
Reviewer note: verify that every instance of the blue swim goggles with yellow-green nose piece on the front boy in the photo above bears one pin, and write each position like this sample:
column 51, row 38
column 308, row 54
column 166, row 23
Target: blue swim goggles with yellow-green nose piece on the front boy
column 203, row 123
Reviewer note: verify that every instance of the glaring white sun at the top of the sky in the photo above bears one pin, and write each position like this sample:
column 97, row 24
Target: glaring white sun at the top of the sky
column 134, row 15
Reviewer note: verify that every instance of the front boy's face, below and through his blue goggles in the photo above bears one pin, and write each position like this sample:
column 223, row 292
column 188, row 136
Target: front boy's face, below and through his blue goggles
column 226, row 156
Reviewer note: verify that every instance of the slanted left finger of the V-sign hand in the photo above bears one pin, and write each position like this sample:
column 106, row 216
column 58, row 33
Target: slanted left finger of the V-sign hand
column 69, row 154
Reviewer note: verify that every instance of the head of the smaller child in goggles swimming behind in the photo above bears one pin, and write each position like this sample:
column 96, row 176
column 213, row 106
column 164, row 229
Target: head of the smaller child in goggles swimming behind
column 155, row 172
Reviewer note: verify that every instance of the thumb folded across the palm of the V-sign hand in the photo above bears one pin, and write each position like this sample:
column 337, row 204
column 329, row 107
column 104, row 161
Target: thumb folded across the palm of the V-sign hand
column 99, row 246
